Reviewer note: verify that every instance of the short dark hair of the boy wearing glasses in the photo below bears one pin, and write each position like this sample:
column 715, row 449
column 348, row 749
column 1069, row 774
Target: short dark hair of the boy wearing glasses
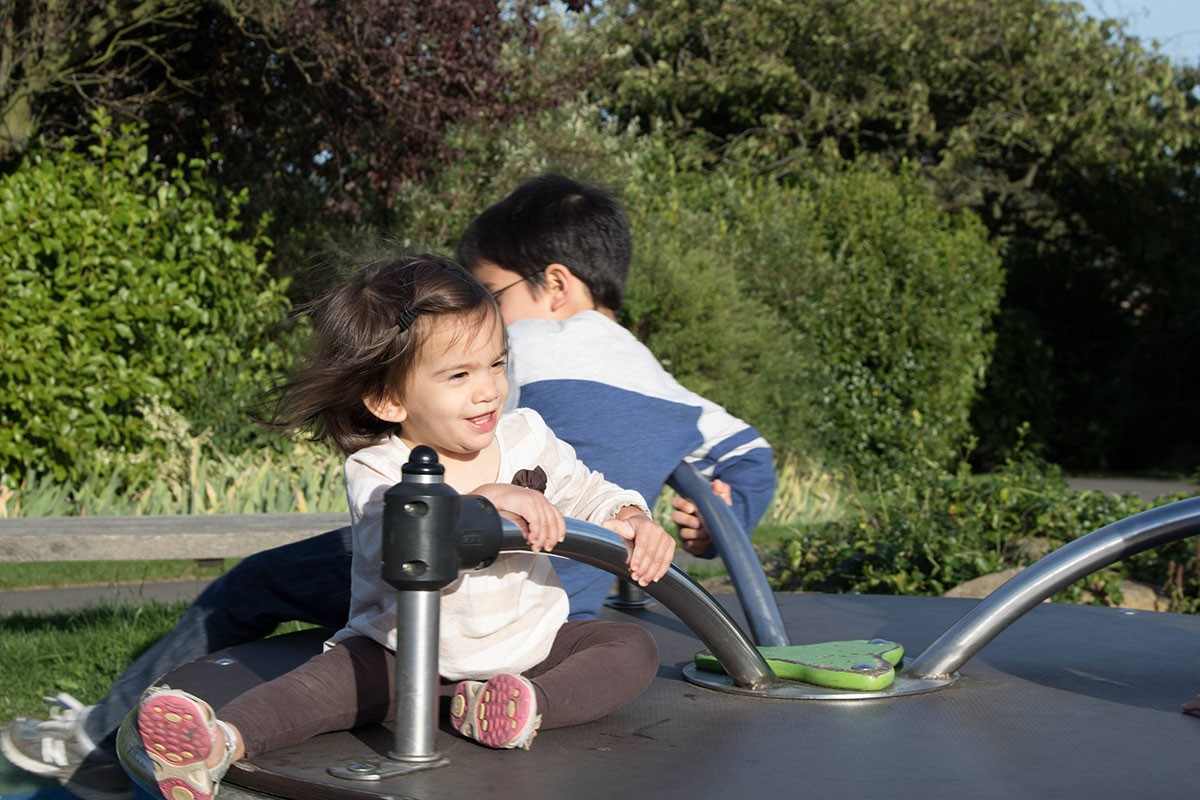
column 555, row 220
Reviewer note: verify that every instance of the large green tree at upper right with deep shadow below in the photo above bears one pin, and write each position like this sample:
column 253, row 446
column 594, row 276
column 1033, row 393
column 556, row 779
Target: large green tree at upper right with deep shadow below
column 1070, row 140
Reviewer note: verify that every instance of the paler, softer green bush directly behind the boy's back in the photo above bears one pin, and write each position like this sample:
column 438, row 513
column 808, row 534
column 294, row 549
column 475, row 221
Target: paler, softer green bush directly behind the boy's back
column 688, row 303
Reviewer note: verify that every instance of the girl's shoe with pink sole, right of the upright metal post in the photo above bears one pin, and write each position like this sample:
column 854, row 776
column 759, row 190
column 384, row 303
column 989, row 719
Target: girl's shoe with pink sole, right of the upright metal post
column 501, row 713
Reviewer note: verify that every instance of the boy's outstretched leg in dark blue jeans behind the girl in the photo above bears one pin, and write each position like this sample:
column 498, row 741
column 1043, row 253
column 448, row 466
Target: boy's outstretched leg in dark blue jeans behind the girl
column 308, row 582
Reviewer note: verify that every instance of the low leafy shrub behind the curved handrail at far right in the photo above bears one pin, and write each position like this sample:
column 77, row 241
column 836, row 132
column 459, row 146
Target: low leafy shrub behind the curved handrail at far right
column 925, row 538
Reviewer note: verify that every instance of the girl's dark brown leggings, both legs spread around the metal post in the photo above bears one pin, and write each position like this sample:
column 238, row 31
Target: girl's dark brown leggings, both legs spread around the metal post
column 593, row 670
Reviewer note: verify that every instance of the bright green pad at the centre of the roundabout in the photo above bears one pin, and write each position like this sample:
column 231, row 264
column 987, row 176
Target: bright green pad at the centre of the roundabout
column 859, row 665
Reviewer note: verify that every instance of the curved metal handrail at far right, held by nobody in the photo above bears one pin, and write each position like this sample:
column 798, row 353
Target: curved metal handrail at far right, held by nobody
column 1052, row 574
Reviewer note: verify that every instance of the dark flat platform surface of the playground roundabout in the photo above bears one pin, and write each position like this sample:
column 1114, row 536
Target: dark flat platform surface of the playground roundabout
column 1070, row 702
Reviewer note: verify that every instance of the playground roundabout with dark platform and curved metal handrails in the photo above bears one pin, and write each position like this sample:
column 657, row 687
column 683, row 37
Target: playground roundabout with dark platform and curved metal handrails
column 1007, row 697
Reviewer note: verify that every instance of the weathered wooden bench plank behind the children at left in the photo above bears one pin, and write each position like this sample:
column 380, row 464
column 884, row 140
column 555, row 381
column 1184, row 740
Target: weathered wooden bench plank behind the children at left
column 134, row 539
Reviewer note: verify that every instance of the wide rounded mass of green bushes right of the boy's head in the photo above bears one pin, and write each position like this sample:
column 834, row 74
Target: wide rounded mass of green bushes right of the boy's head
column 849, row 318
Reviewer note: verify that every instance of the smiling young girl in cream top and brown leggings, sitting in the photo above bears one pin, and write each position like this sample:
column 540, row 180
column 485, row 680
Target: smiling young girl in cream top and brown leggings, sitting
column 412, row 352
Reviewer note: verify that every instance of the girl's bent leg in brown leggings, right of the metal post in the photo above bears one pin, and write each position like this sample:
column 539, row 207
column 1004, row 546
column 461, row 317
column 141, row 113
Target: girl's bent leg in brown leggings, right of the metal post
column 593, row 670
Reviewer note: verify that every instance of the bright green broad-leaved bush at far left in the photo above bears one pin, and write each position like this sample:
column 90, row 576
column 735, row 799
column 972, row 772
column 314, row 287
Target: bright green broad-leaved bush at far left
column 124, row 282
